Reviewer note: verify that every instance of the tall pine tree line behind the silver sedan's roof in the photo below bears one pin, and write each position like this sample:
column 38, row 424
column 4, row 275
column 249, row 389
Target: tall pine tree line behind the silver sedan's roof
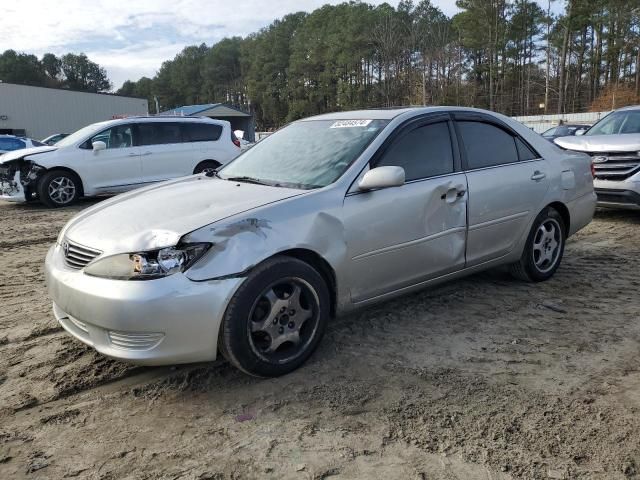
column 512, row 56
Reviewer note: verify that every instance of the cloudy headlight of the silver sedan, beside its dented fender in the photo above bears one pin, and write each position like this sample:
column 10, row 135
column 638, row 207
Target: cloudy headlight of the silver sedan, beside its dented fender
column 148, row 265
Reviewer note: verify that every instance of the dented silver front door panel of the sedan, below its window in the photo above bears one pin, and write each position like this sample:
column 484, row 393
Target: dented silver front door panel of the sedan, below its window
column 397, row 237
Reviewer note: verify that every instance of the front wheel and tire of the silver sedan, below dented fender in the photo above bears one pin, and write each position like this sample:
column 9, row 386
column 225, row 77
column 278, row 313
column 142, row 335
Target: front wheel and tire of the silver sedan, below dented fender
column 276, row 319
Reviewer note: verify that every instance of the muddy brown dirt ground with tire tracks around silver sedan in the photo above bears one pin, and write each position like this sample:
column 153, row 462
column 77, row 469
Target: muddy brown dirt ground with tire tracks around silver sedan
column 484, row 378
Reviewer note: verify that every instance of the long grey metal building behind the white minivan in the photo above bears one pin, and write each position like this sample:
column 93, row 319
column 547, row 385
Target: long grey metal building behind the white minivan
column 38, row 112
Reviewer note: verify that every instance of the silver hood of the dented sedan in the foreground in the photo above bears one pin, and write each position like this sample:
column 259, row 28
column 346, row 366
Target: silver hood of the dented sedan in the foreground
column 159, row 215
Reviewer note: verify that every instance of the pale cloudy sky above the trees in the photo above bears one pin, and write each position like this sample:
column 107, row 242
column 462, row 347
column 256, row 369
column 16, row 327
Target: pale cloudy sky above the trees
column 131, row 39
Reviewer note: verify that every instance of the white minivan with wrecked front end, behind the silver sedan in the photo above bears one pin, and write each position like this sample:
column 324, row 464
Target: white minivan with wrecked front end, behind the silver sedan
column 116, row 156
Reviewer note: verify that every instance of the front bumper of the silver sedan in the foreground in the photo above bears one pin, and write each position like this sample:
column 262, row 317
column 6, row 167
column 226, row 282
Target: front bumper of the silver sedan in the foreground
column 150, row 322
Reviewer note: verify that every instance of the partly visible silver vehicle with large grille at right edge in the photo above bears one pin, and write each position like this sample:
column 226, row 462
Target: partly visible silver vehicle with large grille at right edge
column 614, row 145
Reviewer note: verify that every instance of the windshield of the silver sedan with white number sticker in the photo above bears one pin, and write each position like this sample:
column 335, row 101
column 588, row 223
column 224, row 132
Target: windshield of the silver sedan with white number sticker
column 307, row 154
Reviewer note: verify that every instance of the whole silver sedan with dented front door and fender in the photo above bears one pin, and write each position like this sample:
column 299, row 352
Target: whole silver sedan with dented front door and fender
column 327, row 215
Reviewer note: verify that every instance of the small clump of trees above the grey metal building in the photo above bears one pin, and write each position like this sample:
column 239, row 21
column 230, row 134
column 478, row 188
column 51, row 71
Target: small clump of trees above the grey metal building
column 71, row 71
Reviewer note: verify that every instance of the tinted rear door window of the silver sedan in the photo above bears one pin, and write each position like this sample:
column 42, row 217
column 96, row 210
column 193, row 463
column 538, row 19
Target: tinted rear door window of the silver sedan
column 486, row 145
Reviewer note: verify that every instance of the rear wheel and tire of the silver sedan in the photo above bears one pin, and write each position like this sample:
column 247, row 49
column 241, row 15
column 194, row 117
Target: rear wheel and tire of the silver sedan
column 544, row 248
